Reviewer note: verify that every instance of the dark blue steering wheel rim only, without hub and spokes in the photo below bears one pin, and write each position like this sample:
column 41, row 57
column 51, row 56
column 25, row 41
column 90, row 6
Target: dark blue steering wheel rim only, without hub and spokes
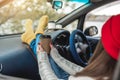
column 73, row 51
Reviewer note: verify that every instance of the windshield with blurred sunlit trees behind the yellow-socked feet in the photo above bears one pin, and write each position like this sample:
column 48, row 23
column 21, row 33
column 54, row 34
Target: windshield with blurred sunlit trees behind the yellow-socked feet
column 13, row 13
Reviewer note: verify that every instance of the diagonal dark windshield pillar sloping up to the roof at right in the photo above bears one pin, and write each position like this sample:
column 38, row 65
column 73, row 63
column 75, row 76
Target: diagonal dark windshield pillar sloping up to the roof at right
column 82, row 11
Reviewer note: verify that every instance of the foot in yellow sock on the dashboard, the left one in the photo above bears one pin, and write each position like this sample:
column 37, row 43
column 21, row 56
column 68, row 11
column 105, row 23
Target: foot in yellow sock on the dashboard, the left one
column 29, row 35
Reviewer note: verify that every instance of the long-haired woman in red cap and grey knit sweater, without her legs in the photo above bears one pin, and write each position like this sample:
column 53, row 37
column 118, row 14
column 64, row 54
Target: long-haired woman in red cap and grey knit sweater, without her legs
column 102, row 63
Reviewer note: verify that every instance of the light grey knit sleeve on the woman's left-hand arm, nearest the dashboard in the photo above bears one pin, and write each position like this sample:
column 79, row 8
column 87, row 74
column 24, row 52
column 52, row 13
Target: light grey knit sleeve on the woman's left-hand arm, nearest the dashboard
column 45, row 69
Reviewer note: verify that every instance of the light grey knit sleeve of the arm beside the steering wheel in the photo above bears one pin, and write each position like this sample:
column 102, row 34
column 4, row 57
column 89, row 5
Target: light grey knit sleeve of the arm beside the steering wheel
column 66, row 65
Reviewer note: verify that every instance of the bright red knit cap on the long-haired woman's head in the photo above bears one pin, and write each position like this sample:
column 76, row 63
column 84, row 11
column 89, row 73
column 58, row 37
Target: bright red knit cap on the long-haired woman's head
column 111, row 36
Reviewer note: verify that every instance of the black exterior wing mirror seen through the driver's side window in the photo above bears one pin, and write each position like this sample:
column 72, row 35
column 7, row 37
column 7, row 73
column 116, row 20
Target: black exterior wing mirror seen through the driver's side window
column 91, row 31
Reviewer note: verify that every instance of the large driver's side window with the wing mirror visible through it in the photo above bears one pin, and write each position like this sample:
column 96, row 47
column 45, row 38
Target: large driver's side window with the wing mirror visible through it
column 96, row 18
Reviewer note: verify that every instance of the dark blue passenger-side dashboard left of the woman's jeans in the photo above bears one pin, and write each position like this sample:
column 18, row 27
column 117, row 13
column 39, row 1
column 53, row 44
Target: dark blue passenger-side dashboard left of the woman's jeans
column 16, row 58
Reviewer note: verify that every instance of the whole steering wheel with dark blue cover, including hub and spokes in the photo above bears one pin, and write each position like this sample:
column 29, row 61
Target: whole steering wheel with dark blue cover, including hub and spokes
column 80, row 48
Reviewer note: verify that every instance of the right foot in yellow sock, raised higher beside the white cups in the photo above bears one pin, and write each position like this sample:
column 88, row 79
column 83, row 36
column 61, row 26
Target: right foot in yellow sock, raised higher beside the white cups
column 42, row 25
